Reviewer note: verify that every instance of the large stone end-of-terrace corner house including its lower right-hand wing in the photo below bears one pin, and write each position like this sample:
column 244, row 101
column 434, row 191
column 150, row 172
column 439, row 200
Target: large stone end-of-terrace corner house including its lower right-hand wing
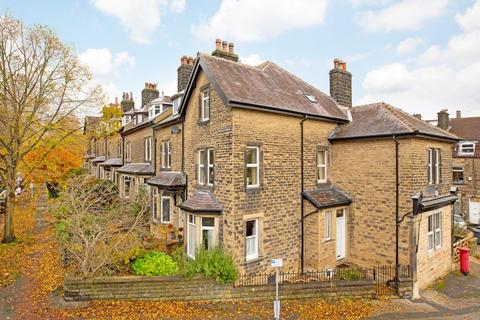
column 266, row 165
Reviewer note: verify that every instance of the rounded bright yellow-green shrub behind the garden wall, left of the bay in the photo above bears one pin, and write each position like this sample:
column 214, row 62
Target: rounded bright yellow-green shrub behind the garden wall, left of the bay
column 155, row 263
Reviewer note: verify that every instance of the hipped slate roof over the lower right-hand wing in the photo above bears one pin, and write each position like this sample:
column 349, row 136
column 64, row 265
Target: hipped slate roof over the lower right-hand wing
column 381, row 119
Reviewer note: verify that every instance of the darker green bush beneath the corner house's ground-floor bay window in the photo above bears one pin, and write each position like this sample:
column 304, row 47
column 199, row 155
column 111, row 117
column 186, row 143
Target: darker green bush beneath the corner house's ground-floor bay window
column 211, row 263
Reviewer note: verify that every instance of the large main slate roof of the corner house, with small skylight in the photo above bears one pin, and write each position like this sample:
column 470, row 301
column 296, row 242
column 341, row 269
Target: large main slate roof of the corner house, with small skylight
column 266, row 87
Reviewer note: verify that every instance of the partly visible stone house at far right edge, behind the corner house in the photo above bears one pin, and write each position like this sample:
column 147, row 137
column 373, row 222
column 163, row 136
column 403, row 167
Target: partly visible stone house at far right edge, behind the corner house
column 466, row 162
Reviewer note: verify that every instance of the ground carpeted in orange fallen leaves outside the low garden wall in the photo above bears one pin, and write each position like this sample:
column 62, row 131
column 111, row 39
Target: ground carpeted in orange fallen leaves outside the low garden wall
column 31, row 275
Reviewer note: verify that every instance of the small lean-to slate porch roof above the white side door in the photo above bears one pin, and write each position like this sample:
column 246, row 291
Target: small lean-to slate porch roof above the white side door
column 326, row 196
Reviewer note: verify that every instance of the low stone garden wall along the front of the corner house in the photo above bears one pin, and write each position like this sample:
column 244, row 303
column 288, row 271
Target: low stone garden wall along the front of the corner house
column 199, row 288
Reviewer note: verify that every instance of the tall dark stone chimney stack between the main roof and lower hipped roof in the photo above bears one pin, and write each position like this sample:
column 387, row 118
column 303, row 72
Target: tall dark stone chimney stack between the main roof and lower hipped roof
column 341, row 83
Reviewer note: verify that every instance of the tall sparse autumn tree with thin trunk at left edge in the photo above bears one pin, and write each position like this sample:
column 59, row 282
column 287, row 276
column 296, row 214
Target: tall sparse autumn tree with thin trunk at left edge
column 42, row 84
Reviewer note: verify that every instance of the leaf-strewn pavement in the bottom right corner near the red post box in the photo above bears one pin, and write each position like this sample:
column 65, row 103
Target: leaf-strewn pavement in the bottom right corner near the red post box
column 454, row 297
